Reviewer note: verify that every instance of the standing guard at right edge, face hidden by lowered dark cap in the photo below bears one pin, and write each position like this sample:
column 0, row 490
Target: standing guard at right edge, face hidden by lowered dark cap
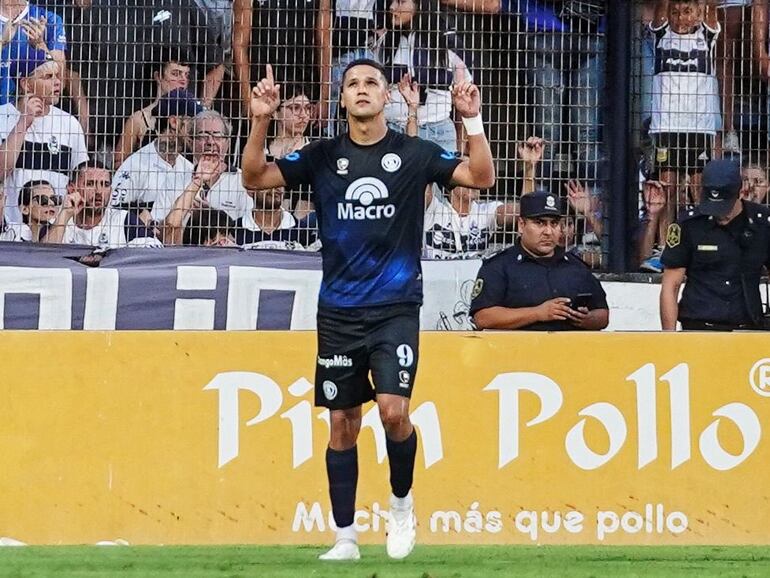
column 721, row 247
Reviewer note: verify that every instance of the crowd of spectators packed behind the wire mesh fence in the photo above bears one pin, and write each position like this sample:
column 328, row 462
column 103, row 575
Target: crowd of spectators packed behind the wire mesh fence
column 122, row 121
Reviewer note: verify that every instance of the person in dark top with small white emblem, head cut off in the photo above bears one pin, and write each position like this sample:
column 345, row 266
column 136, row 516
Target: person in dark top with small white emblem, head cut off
column 115, row 47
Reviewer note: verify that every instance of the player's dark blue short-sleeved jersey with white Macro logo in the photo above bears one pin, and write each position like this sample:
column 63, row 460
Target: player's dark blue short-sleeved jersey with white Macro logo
column 370, row 203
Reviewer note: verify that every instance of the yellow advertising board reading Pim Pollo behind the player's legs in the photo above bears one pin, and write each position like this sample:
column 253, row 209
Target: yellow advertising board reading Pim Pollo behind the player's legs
column 210, row 438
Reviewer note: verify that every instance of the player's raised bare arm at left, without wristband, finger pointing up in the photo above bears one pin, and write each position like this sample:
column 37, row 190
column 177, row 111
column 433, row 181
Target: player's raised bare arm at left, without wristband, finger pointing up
column 258, row 174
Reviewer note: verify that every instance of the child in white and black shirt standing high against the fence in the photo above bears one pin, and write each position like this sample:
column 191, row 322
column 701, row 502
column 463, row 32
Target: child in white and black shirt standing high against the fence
column 685, row 109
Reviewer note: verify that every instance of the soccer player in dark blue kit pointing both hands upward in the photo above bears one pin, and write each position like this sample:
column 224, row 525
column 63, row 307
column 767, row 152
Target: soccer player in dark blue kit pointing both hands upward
column 369, row 192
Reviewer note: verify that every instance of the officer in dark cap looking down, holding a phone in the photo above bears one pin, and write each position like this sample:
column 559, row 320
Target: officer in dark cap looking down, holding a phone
column 535, row 285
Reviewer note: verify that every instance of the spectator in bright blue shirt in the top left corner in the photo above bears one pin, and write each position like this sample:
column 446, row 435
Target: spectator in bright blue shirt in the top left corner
column 25, row 28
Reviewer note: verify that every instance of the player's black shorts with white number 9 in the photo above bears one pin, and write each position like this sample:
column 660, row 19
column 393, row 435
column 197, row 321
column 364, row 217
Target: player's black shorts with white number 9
column 352, row 343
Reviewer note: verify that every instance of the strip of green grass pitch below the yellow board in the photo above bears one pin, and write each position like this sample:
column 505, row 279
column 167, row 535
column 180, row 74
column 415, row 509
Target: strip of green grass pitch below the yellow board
column 425, row 562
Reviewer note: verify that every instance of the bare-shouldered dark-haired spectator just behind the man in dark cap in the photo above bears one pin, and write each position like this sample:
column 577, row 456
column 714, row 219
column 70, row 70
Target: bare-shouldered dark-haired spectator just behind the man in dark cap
column 172, row 73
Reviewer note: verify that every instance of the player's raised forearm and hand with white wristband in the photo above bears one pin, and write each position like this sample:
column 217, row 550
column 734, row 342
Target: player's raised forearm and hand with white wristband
column 478, row 172
